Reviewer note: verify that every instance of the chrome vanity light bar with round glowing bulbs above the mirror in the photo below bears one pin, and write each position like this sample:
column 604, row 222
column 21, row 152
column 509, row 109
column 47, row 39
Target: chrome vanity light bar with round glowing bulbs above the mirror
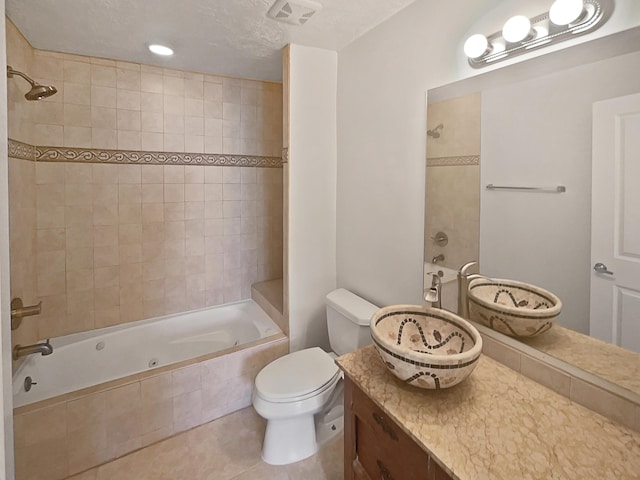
column 565, row 19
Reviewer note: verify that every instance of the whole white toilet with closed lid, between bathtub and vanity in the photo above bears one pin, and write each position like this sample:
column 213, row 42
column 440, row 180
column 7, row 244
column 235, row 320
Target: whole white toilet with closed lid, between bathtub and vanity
column 301, row 394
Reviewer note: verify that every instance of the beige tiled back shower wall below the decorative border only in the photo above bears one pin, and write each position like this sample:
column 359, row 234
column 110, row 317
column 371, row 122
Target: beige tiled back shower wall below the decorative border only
column 119, row 243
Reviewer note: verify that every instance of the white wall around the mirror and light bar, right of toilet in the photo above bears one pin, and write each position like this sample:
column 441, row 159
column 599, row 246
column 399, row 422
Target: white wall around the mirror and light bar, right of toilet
column 382, row 81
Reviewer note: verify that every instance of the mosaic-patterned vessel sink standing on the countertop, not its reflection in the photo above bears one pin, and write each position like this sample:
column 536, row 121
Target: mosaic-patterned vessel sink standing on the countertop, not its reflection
column 425, row 347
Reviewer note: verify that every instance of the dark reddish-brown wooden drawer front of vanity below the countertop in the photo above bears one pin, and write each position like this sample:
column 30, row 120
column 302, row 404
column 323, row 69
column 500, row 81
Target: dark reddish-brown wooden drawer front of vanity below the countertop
column 383, row 449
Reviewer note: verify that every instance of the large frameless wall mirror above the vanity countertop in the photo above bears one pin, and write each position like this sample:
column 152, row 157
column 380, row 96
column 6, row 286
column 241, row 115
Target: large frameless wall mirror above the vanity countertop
column 530, row 125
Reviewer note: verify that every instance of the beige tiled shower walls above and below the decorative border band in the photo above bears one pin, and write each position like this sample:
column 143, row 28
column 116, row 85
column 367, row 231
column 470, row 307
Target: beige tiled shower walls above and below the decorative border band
column 103, row 244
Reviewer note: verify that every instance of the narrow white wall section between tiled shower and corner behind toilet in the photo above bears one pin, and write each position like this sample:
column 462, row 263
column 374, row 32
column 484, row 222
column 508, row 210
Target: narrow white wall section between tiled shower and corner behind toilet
column 312, row 192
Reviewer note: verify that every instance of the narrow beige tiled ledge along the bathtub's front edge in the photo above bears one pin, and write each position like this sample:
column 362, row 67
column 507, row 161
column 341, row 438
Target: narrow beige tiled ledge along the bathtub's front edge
column 137, row 377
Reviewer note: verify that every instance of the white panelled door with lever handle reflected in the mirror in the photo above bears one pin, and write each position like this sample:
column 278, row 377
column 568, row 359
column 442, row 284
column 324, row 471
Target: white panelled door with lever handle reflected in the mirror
column 615, row 222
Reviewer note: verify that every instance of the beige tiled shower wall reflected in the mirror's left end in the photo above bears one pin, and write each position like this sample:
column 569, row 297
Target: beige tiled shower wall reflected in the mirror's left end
column 453, row 180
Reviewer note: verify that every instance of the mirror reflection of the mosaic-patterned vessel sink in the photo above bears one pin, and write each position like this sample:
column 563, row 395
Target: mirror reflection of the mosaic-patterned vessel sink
column 513, row 308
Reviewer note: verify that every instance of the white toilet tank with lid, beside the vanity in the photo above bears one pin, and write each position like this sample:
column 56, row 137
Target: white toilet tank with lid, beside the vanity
column 348, row 318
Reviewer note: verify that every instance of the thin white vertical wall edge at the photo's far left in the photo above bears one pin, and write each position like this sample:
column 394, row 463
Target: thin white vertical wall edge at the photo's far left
column 6, row 400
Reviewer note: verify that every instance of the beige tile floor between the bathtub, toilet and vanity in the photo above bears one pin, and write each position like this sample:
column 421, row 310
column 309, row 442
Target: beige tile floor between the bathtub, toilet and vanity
column 225, row 449
